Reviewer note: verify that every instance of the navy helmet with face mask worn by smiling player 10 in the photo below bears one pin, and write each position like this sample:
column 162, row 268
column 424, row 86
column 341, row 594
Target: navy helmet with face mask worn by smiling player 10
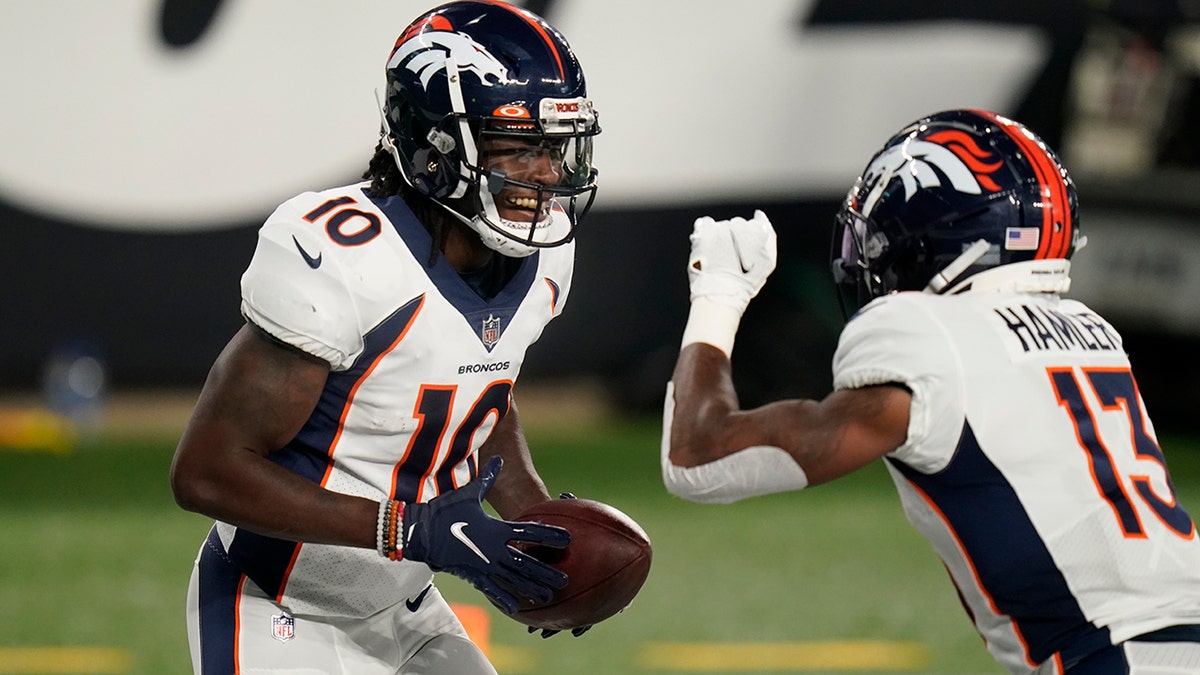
column 475, row 70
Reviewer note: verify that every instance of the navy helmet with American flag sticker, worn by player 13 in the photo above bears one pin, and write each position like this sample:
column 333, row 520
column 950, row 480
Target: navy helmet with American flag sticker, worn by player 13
column 949, row 198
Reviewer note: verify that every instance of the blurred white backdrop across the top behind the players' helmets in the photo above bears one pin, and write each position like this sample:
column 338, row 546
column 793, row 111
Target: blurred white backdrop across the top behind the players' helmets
column 105, row 126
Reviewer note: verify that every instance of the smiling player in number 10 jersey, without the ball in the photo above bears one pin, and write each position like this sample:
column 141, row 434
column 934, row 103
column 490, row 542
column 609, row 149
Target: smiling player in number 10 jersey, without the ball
column 347, row 434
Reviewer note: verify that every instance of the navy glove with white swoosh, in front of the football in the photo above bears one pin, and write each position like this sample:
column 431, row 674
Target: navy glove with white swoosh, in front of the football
column 453, row 534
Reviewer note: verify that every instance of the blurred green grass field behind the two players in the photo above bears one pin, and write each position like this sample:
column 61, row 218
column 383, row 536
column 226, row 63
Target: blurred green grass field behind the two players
column 95, row 559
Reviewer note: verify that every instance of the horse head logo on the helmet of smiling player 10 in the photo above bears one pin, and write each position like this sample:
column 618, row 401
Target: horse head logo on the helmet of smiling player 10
column 429, row 46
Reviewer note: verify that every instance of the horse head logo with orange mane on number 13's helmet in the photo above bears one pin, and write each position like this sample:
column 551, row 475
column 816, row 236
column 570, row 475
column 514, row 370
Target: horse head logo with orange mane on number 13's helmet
column 923, row 164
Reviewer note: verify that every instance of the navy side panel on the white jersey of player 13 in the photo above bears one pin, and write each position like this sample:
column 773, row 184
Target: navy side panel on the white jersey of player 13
column 1010, row 557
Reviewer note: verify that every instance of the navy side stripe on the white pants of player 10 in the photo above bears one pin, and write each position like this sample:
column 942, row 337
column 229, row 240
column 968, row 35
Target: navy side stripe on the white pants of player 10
column 219, row 581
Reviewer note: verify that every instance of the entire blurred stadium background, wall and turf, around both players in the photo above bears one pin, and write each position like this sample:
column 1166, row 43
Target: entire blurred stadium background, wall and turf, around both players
column 145, row 141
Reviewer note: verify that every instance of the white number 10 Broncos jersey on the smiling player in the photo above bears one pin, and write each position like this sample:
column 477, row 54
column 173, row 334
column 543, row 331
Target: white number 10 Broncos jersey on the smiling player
column 422, row 371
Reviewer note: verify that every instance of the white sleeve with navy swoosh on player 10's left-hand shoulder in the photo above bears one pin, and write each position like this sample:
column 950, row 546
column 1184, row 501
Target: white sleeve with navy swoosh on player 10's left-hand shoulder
column 295, row 288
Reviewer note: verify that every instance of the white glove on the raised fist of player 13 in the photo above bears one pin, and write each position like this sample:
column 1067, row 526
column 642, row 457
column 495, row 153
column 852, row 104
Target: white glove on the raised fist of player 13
column 731, row 259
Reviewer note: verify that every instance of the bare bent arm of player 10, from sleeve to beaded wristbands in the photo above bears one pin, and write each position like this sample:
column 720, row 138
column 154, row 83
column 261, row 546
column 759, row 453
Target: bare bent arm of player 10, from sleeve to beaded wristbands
column 256, row 401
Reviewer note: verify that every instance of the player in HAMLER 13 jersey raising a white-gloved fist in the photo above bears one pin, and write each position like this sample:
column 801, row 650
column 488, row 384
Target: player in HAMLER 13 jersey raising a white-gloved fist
column 1007, row 415
